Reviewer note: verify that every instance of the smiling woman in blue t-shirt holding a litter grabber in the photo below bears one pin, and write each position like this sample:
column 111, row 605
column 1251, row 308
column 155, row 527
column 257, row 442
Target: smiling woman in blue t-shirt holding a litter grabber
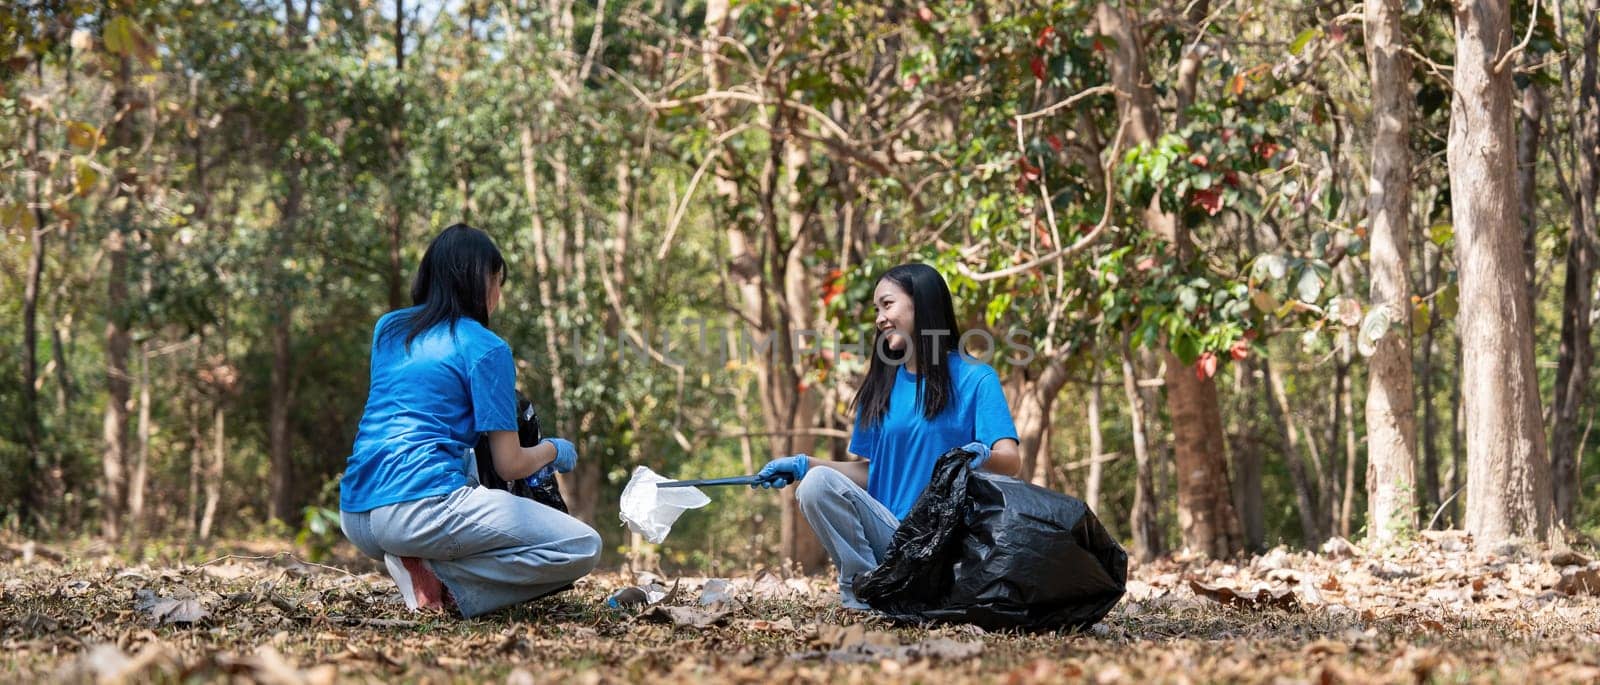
column 921, row 399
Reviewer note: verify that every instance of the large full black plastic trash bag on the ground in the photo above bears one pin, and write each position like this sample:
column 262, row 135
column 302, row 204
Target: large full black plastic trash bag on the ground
column 998, row 553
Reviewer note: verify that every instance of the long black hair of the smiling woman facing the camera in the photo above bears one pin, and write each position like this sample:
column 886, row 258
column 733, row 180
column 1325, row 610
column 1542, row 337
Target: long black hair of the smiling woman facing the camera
column 934, row 337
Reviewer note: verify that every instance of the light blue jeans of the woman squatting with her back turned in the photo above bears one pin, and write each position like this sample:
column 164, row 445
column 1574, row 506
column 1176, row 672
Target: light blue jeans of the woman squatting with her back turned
column 489, row 548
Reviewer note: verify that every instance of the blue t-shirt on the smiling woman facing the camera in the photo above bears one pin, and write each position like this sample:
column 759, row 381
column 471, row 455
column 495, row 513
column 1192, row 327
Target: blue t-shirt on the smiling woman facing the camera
column 906, row 446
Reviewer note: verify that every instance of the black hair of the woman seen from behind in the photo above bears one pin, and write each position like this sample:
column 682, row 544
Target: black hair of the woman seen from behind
column 452, row 282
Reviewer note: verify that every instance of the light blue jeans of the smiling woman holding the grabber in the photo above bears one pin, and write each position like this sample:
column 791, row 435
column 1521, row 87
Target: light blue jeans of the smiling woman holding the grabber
column 854, row 527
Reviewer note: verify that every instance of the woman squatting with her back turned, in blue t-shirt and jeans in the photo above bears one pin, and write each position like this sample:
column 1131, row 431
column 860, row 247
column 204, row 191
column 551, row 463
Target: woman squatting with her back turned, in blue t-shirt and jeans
column 439, row 380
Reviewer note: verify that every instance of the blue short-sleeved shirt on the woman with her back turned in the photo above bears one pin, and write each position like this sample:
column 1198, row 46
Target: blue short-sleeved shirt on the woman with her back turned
column 425, row 409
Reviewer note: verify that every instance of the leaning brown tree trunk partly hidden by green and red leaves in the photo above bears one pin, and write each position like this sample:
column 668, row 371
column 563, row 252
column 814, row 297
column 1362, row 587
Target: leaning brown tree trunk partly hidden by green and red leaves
column 1206, row 510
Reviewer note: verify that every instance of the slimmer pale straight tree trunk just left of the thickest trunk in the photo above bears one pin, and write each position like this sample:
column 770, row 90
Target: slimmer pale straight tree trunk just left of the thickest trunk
column 1391, row 406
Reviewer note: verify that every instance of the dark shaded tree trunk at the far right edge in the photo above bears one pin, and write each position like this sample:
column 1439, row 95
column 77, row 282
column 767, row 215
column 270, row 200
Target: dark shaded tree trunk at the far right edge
column 1574, row 367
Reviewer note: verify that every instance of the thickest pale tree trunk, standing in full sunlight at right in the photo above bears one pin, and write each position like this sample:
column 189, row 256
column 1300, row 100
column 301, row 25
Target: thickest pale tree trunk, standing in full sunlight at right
column 1508, row 470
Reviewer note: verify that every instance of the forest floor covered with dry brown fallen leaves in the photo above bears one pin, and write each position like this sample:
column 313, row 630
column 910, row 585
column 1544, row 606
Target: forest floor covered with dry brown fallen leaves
column 1434, row 611
